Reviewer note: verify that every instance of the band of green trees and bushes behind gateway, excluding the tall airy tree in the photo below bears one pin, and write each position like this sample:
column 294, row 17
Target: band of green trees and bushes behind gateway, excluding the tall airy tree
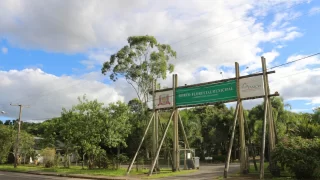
column 106, row 136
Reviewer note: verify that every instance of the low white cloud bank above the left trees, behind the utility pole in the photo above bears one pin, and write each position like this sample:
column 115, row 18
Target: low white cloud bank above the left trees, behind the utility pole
column 47, row 94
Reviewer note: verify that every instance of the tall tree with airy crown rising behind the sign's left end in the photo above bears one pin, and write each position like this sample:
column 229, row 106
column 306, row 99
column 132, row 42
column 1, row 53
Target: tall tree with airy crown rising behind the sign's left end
column 140, row 62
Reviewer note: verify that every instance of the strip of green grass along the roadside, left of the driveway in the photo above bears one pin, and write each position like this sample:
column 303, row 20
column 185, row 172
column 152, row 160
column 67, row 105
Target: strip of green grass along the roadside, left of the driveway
column 95, row 172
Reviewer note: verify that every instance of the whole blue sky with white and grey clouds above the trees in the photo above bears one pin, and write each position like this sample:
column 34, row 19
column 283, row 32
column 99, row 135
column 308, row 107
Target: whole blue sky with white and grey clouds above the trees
column 52, row 51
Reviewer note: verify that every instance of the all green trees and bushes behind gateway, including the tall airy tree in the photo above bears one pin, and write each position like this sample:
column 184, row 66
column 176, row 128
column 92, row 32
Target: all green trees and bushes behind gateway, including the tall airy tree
column 106, row 136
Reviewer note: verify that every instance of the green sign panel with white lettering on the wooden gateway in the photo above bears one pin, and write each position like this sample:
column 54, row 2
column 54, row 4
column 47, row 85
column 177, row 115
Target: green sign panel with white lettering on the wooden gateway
column 209, row 93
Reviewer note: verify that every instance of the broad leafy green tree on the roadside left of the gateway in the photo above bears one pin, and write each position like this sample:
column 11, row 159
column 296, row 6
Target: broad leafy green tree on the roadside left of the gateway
column 89, row 127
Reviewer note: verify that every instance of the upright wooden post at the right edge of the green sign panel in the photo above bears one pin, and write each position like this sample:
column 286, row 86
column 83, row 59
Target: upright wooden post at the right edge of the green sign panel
column 243, row 160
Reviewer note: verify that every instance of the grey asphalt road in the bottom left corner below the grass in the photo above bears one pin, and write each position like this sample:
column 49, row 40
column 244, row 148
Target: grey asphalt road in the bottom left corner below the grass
column 23, row 176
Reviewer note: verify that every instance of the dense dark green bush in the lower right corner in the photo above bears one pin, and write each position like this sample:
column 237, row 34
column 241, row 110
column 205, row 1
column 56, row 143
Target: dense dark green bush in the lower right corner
column 300, row 156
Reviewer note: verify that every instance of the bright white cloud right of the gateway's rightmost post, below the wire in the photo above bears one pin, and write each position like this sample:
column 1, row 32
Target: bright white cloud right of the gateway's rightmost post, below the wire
column 299, row 80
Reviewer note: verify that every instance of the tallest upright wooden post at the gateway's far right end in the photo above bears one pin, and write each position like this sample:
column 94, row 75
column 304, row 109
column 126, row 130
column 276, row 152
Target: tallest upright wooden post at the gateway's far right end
column 263, row 144
